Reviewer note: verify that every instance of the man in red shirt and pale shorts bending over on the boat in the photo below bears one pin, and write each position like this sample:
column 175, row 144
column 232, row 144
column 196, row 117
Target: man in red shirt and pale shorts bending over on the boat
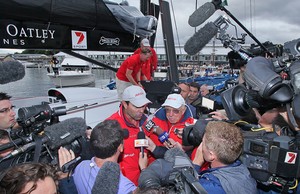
column 129, row 72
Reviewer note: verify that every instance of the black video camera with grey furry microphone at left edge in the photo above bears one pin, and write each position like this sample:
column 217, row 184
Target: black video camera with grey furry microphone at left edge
column 41, row 135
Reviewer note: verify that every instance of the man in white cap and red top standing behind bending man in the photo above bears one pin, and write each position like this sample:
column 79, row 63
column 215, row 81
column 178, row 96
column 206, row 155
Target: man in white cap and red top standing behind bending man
column 151, row 65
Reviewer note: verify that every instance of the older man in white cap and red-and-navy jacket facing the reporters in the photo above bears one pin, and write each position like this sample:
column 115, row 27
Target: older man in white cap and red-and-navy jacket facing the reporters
column 172, row 118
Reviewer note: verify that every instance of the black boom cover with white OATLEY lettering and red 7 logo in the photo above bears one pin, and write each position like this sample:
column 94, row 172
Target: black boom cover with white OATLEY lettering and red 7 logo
column 29, row 35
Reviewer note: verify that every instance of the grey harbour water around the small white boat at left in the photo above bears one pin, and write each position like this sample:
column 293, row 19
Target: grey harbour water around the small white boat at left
column 36, row 82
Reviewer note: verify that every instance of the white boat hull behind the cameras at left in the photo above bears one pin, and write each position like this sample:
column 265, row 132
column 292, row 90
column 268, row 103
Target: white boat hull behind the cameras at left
column 92, row 104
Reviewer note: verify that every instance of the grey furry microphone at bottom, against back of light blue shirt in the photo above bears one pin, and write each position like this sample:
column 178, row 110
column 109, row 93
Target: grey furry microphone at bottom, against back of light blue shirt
column 108, row 178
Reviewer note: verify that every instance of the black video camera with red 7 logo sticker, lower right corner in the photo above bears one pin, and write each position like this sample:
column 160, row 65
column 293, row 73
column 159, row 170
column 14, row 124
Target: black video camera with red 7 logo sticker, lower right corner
column 272, row 161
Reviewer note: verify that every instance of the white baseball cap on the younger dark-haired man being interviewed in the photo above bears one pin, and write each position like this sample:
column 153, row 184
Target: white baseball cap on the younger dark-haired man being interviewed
column 135, row 95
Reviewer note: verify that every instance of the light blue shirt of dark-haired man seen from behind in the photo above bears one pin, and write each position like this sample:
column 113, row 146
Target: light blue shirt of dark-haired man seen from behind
column 85, row 175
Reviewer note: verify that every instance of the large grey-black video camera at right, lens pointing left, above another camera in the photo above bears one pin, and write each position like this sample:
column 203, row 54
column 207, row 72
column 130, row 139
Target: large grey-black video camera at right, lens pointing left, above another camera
column 269, row 83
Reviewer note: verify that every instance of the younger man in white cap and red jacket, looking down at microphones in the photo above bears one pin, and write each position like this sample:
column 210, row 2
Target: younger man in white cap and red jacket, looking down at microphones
column 131, row 116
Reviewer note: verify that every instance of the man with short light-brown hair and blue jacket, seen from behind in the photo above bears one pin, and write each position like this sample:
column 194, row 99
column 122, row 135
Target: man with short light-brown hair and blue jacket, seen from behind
column 221, row 146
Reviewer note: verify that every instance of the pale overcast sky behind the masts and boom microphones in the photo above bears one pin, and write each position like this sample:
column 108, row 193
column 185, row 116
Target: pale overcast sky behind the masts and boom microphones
column 272, row 20
